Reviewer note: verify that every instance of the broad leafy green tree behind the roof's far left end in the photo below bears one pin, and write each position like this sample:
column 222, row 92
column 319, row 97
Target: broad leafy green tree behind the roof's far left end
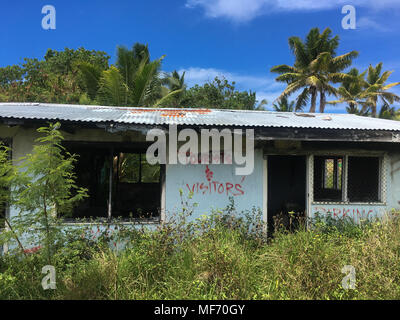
column 56, row 78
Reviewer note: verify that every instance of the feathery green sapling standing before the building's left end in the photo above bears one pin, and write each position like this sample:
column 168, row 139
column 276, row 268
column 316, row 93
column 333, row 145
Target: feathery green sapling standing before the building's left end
column 43, row 190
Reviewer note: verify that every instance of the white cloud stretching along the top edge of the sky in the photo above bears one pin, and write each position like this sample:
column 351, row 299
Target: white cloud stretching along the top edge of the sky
column 245, row 10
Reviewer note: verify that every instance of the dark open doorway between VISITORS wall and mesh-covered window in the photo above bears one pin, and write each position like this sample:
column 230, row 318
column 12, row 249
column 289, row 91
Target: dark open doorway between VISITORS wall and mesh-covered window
column 286, row 190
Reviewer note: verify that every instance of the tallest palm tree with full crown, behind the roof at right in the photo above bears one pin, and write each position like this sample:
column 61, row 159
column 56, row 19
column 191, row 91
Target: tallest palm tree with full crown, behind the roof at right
column 316, row 66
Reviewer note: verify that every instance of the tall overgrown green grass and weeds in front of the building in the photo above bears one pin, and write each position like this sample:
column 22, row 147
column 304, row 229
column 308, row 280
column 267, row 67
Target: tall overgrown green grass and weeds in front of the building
column 220, row 256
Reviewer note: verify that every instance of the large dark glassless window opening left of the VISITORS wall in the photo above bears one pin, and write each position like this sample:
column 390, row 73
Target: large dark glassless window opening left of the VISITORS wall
column 120, row 182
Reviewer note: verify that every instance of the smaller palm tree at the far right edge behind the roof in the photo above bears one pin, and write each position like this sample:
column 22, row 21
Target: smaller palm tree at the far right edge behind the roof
column 376, row 89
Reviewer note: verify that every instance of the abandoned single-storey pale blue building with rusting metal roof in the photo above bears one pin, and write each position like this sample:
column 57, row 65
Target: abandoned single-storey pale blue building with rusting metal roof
column 338, row 164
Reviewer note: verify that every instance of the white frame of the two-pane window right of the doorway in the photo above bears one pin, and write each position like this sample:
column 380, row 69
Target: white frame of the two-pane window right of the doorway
column 345, row 199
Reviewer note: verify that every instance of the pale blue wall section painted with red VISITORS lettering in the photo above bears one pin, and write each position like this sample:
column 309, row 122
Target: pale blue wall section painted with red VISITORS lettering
column 212, row 188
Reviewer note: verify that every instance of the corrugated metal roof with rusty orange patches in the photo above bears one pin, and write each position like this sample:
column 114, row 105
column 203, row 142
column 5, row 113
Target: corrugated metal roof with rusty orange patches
column 211, row 117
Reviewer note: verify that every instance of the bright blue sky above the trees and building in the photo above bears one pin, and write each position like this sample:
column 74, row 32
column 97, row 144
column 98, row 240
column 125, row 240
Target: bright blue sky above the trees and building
column 241, row 39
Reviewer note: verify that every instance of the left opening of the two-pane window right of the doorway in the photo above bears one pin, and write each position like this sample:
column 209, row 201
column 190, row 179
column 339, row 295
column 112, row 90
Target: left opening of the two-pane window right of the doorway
column 328, row 177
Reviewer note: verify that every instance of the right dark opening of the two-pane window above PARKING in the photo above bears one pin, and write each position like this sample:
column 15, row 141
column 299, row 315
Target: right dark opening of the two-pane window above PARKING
column 363, row 179
